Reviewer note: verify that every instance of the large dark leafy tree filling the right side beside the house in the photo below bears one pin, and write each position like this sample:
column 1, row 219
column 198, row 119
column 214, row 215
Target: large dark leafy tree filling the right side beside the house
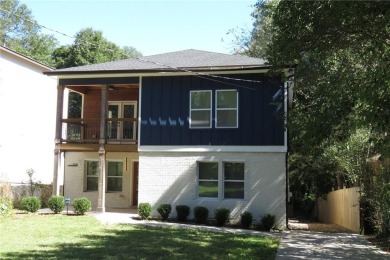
column 340, row 117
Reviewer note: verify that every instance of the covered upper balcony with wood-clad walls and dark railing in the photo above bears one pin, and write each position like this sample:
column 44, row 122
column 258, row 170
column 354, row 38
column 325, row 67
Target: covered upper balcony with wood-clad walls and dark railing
column 105, row 114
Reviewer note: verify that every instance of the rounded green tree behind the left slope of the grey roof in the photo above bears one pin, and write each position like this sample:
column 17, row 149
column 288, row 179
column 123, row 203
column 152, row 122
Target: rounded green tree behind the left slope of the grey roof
column 91, row 47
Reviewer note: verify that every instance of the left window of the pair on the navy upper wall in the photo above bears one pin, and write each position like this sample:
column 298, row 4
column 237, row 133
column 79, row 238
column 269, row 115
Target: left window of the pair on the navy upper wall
column 200, row 109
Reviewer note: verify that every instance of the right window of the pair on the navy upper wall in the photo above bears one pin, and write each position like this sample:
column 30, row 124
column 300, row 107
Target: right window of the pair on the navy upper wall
column 226, row 108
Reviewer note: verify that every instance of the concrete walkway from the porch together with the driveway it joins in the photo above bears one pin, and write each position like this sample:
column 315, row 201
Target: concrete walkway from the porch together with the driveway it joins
column 294, row 244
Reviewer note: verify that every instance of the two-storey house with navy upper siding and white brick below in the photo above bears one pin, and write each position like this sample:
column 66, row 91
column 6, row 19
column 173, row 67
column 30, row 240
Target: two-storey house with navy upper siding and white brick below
column 188, row 127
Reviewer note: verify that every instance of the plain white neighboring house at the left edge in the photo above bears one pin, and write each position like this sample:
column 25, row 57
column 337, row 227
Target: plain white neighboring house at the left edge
column 27, row 114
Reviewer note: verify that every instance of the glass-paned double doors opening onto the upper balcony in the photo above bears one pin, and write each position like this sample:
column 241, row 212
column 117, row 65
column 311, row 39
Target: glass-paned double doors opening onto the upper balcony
column 121, row 123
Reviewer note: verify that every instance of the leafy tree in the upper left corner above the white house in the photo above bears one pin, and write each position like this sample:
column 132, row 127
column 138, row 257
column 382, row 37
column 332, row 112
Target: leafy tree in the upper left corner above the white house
column 20, row 32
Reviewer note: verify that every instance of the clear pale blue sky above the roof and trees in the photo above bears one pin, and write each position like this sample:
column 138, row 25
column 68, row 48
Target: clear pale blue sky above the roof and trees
column 151, row 26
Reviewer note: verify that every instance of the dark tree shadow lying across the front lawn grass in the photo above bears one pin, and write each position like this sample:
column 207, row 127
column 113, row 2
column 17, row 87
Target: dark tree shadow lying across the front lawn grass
column 135, row 242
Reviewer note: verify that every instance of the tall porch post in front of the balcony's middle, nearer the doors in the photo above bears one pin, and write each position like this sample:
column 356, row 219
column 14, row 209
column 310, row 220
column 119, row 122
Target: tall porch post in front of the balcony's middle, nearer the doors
column 101, row 207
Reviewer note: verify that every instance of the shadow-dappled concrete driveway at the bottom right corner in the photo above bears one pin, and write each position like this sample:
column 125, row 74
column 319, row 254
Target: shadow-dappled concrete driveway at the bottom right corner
column 320, row 245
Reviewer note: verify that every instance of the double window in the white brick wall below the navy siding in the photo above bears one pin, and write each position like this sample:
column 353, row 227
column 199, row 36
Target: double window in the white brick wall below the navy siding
column 221, row 179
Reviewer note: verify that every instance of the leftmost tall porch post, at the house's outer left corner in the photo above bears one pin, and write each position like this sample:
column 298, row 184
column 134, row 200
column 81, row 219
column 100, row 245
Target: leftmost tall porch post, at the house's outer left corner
column 57, row 140
